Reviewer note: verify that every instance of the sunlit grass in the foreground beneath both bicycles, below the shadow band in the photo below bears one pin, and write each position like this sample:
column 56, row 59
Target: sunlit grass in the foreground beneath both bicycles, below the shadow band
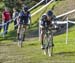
column 32, row 53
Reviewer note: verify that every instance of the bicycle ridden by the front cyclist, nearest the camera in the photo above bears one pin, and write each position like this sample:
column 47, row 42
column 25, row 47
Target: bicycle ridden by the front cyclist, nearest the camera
column 48, row 42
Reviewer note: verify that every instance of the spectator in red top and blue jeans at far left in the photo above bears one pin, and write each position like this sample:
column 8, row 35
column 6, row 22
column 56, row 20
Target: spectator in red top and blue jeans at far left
column 6, row 16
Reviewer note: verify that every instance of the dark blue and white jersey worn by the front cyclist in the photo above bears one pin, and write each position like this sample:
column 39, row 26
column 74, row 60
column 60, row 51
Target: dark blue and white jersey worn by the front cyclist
column 45, row 23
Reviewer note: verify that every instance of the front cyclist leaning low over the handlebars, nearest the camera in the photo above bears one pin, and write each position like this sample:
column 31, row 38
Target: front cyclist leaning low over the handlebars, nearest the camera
column 46, row 21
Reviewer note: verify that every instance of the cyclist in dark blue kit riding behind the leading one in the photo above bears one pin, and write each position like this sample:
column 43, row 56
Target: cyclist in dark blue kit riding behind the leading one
column 23, row 19
